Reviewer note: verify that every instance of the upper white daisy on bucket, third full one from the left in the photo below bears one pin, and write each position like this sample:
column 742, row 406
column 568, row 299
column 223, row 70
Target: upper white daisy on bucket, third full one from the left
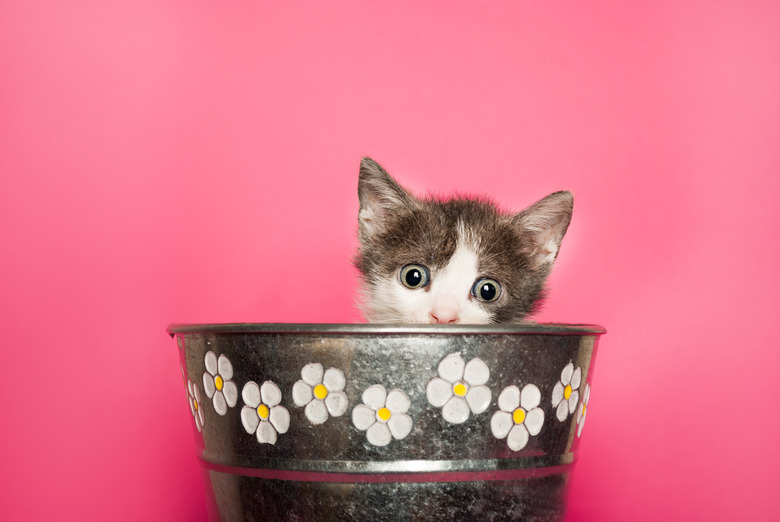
column 321, row 392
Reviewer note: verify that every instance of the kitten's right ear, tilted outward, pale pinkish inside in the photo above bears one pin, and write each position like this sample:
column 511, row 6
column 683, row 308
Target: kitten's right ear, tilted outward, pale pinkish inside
column 543, row 226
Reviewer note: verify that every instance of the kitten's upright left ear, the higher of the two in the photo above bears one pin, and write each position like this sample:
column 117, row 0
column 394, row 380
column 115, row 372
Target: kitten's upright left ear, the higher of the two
column 380, row 197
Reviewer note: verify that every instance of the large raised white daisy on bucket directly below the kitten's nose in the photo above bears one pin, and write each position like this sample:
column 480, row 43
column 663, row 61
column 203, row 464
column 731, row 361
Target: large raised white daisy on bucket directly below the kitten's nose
column 460, row 389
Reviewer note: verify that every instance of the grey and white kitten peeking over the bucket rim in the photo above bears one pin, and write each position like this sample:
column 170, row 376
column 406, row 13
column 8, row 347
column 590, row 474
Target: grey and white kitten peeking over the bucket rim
column 455, row 261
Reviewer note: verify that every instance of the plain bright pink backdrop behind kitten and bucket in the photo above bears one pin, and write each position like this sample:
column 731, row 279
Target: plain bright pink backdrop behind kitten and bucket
column 197, row 162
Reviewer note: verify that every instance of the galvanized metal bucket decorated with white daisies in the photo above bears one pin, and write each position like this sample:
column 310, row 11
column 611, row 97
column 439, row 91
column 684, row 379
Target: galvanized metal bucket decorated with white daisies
column 372, row 422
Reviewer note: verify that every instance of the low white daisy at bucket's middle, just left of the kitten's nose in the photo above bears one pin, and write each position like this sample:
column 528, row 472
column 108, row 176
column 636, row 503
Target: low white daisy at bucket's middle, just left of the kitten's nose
column 383, row 415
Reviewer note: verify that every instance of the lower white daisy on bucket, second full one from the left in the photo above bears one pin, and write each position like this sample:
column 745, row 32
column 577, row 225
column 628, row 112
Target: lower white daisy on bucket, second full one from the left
column 262, row 414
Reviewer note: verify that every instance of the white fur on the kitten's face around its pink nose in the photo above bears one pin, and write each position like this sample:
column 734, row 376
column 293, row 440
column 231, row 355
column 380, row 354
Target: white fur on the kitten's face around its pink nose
column 446, row 300
